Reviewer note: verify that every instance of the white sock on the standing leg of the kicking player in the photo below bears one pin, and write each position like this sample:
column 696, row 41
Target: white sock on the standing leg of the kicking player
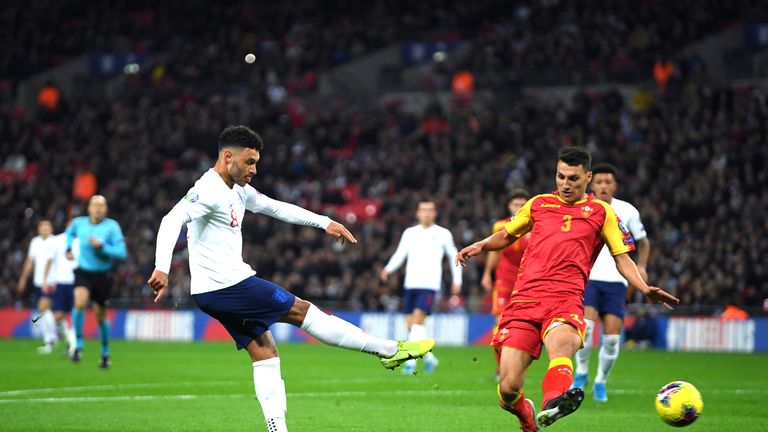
column 270, row 391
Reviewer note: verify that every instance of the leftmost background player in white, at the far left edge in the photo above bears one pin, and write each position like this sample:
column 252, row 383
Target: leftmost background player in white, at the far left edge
column 41, row 249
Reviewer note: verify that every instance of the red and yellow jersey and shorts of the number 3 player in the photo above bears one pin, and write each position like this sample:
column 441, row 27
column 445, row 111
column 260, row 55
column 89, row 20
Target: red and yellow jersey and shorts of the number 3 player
column 564, row 244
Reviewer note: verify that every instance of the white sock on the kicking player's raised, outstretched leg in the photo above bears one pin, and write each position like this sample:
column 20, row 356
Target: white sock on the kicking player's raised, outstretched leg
column 337, row 332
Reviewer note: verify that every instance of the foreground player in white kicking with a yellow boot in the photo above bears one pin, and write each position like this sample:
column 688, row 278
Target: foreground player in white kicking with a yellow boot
column 225, row 287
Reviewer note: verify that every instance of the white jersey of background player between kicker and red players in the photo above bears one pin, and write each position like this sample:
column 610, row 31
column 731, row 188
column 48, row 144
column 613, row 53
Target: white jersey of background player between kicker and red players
column 424, row 249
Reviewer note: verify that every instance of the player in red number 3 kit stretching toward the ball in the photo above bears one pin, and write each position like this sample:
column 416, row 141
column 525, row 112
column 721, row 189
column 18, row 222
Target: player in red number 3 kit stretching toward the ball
column 568, row 229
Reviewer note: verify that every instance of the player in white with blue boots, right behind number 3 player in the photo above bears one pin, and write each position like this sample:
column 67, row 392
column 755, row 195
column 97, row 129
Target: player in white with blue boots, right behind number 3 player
column 607, row 289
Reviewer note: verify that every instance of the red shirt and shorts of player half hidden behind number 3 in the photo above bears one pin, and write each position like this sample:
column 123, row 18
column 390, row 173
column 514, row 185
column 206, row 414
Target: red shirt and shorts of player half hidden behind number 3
column 506, row 269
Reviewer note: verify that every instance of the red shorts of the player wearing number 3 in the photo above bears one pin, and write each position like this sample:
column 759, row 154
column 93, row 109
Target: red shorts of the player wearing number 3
column 524, row 324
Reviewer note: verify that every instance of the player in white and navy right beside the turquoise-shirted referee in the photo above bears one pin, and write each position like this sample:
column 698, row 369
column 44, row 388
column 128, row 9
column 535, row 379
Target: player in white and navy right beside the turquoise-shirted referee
column 62, row 273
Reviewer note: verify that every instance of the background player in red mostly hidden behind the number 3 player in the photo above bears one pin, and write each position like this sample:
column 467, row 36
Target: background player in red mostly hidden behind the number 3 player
column 504, row 264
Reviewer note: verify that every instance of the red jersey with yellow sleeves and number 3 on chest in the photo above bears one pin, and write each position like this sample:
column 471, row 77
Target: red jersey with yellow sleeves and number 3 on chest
column 565, row 242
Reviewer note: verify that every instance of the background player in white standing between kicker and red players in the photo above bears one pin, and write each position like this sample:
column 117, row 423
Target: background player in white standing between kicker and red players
column 423, row 246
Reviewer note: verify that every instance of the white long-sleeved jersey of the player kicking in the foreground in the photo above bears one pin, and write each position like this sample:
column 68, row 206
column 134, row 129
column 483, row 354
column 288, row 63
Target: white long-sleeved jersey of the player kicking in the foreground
column 214, row 214
